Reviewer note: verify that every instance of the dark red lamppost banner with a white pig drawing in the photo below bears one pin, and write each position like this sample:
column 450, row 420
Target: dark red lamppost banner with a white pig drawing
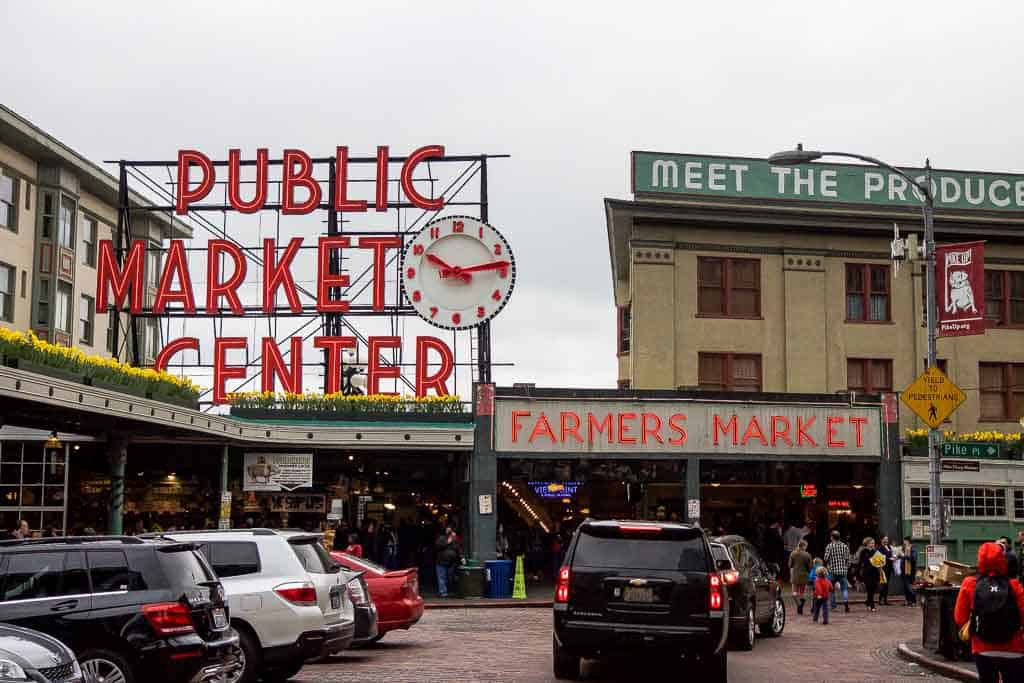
column 960, row 289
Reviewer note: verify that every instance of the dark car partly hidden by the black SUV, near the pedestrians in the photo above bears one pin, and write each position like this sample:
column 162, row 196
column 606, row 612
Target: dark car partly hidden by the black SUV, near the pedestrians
column 755, row 594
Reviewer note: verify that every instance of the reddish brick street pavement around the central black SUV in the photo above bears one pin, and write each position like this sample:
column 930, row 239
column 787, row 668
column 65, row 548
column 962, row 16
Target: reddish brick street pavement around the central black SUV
column 515, row 646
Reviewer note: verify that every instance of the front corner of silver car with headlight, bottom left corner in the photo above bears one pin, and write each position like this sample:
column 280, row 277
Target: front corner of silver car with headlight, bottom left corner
column 31, row 656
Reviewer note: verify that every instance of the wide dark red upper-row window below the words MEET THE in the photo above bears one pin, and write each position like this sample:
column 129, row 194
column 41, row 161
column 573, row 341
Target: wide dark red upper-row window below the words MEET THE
column 730, row 287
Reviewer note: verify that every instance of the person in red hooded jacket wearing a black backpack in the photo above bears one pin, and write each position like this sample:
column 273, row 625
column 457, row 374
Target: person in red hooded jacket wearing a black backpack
column 994, row 606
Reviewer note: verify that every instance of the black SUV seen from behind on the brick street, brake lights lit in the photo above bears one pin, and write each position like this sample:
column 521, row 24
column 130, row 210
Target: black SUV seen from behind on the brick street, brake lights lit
column 632, row 586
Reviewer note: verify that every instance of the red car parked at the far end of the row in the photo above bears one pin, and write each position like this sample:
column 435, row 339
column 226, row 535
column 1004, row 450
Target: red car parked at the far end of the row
column 397, row 594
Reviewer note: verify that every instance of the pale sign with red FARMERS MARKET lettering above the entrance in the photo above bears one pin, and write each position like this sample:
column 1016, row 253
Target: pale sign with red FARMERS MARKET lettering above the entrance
column 584, row 426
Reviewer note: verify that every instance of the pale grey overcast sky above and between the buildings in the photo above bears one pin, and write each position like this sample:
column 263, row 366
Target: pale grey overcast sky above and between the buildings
column 568, row 90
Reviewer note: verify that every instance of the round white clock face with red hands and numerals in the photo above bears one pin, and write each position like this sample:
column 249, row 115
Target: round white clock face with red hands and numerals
column 458, row 273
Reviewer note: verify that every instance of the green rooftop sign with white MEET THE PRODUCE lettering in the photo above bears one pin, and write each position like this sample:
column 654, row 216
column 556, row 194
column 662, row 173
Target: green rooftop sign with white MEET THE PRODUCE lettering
column 756, row 179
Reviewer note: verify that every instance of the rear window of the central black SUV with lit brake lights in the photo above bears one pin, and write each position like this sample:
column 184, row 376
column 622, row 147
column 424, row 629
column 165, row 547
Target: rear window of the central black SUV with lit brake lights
column 642, row 552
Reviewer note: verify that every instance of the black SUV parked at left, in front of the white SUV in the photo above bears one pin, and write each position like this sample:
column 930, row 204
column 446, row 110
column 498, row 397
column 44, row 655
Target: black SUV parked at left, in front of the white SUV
column 132, row 610
